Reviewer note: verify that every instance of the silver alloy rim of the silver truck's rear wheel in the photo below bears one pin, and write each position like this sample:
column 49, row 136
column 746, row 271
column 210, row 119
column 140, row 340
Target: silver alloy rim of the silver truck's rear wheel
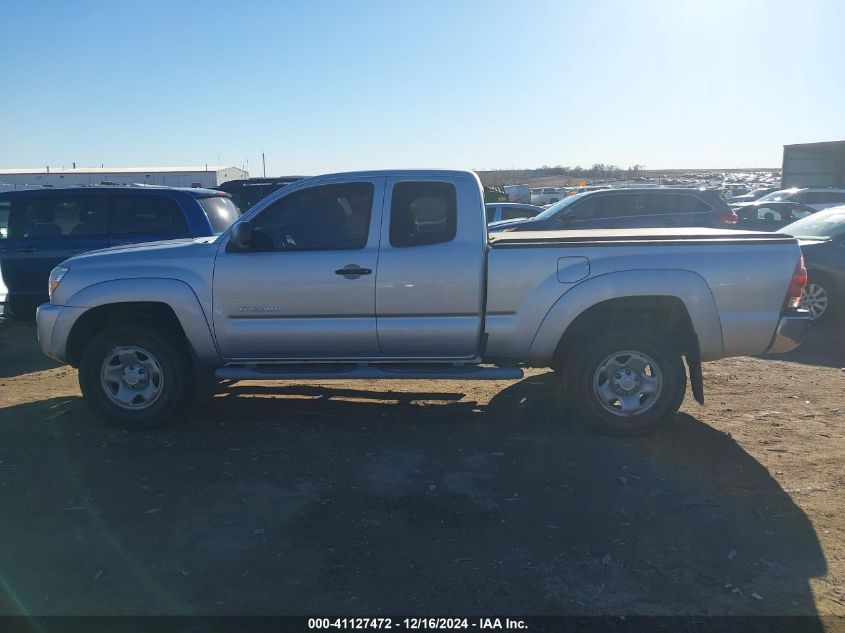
column 627, row 383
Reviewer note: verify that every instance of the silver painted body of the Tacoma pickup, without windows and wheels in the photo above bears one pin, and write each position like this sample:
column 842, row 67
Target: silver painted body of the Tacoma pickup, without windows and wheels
column 510, row 298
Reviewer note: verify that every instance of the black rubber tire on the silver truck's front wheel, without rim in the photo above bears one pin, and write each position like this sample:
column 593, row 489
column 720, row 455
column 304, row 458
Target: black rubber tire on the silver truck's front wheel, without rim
column 174, row 375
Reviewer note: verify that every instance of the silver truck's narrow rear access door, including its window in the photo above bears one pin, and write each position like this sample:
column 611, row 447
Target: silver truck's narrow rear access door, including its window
column 430, row 284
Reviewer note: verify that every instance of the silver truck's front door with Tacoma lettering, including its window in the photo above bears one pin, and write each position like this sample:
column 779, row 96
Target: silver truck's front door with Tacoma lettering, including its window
column 306, row 290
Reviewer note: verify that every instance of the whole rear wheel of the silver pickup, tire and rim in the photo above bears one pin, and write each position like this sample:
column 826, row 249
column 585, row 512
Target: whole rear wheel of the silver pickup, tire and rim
column 626, row 384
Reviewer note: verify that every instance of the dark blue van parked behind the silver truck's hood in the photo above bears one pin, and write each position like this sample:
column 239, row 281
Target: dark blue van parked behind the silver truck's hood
column 46, row 226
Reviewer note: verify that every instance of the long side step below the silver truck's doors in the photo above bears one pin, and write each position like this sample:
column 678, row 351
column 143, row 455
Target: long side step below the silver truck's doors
column 354, row 371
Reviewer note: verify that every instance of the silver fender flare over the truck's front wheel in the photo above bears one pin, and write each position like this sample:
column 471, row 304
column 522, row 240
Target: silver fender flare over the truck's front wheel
column 174, row 293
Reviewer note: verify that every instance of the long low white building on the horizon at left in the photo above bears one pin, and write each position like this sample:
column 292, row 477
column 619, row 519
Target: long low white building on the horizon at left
column 170, row 176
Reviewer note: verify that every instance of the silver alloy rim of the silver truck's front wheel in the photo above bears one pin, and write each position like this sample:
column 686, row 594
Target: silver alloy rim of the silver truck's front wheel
column 131, row 377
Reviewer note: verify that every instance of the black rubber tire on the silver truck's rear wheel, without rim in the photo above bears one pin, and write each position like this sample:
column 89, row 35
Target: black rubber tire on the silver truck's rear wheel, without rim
column 582, row 373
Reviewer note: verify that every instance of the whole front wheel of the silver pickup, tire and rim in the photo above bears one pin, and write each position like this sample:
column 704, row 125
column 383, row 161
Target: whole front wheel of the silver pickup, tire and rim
column 134, row 377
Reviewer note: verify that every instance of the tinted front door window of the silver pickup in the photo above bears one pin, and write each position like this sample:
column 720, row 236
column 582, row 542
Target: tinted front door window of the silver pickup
column 328, row 217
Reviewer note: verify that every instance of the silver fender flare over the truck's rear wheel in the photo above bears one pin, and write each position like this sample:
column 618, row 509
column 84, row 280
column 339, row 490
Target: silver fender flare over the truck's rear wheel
column 688, row 286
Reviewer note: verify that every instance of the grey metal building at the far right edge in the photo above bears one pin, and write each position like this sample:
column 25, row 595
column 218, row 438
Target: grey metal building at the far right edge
column 814, row 164
